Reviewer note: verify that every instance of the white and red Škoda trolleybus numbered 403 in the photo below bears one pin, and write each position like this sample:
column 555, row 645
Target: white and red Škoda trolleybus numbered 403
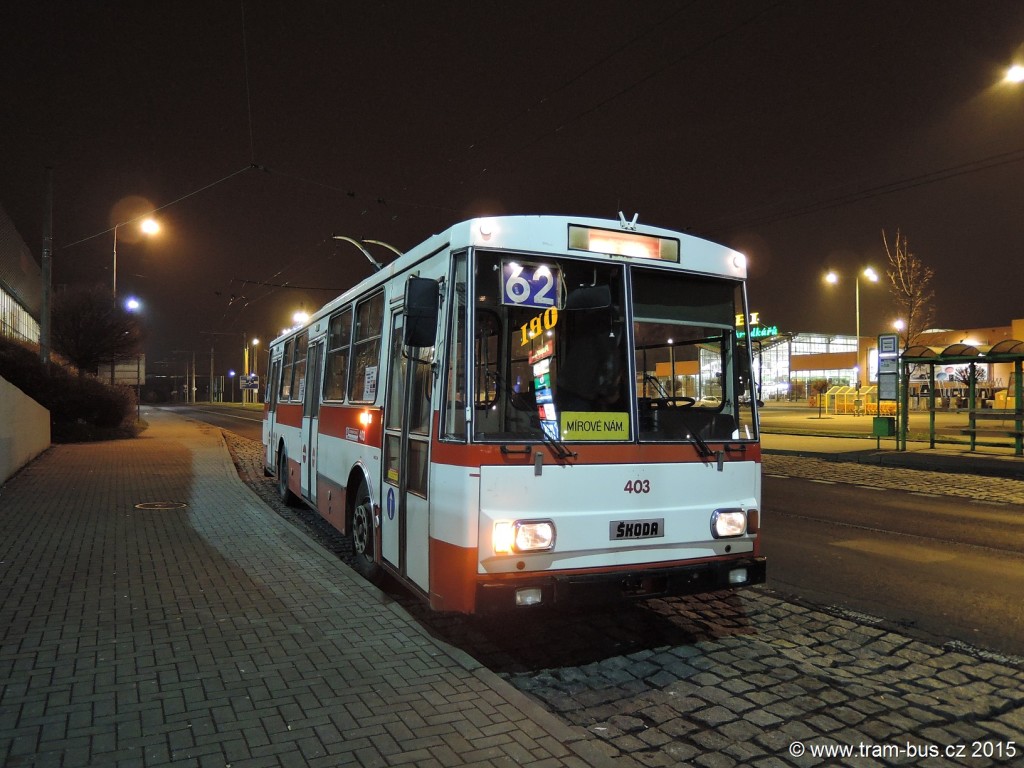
column 531, row 411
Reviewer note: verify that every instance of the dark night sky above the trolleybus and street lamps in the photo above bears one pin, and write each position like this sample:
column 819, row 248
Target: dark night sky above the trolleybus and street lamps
column 793, row 132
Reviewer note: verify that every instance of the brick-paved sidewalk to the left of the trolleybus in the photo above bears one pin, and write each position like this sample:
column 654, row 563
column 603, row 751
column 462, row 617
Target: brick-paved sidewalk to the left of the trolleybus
column 201, row 630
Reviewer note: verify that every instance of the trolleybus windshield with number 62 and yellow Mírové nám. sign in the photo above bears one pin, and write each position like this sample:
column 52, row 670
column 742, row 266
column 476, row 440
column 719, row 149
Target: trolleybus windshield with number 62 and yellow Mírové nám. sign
column 600, row 352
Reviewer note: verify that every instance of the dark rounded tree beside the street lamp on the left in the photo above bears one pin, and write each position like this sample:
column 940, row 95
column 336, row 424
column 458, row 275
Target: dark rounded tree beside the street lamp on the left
column 90, row 328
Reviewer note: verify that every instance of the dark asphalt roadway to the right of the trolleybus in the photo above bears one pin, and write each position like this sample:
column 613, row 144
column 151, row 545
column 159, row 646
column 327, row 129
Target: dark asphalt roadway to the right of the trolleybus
column 949, row 567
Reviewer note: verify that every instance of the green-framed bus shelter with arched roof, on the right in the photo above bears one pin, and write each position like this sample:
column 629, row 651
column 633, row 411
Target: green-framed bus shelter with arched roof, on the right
column 1003, row 421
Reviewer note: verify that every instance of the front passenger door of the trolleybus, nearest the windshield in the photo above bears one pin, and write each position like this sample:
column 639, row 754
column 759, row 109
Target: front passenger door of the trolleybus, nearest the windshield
column 405, row 519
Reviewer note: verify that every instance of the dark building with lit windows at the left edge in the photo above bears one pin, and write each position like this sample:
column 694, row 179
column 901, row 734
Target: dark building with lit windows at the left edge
column 21, row 285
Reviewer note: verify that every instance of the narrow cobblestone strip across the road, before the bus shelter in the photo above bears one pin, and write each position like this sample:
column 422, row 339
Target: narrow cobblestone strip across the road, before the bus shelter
column 996, row 490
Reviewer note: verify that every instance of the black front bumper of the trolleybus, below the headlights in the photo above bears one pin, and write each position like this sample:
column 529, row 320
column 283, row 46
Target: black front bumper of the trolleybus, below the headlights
column 573, row 590
